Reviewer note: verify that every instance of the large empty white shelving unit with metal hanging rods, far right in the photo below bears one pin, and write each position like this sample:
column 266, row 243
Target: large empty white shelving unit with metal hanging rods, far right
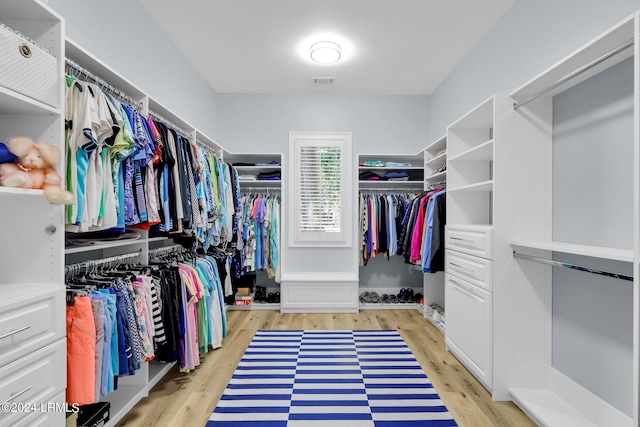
column 540, row 359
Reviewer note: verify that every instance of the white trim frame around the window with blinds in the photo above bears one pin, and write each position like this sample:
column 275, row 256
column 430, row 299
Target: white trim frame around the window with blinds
column 298, row 238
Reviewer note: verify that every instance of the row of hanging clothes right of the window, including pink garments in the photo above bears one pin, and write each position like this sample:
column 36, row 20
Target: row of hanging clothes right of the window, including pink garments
column 404, row 224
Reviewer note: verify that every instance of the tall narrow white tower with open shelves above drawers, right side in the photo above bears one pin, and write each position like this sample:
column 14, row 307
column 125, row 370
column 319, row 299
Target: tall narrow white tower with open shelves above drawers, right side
column 474, row 144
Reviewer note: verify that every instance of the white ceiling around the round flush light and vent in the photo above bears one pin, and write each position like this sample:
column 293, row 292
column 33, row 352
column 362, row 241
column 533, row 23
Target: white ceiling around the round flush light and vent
column 262, row 46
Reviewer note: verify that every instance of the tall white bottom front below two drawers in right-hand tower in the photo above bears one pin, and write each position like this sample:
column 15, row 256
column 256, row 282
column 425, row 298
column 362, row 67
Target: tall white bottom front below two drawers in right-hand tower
column 468, row 333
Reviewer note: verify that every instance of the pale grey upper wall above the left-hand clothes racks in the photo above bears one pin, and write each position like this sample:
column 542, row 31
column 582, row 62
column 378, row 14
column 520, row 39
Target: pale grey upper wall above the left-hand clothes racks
column 124, row 36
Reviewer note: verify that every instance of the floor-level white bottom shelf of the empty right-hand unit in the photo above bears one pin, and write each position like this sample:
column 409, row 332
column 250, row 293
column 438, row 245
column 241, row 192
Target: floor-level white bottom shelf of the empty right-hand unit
column 546, row 408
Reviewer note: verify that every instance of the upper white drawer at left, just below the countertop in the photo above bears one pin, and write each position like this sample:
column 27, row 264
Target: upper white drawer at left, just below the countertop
column 31, row 317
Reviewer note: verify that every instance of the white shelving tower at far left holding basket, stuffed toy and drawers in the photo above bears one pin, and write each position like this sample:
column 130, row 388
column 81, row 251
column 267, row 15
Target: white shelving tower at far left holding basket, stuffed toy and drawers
column 32, row 293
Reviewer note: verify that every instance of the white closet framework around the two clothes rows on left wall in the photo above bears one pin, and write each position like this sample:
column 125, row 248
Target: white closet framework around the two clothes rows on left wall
column 131, row 389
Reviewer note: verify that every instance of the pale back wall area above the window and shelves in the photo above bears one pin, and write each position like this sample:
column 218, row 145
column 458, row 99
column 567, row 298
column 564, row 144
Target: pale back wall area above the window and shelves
column 379, row 123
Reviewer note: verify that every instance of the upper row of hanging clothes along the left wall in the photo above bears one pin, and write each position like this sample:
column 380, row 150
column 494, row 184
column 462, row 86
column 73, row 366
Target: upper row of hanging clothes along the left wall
column 127, row 169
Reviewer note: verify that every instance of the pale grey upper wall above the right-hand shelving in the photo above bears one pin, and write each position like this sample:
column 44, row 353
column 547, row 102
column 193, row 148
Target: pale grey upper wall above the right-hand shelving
column 532, row 36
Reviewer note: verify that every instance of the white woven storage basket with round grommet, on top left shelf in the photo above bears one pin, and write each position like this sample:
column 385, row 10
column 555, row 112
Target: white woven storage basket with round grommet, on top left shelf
column 26, row 68
